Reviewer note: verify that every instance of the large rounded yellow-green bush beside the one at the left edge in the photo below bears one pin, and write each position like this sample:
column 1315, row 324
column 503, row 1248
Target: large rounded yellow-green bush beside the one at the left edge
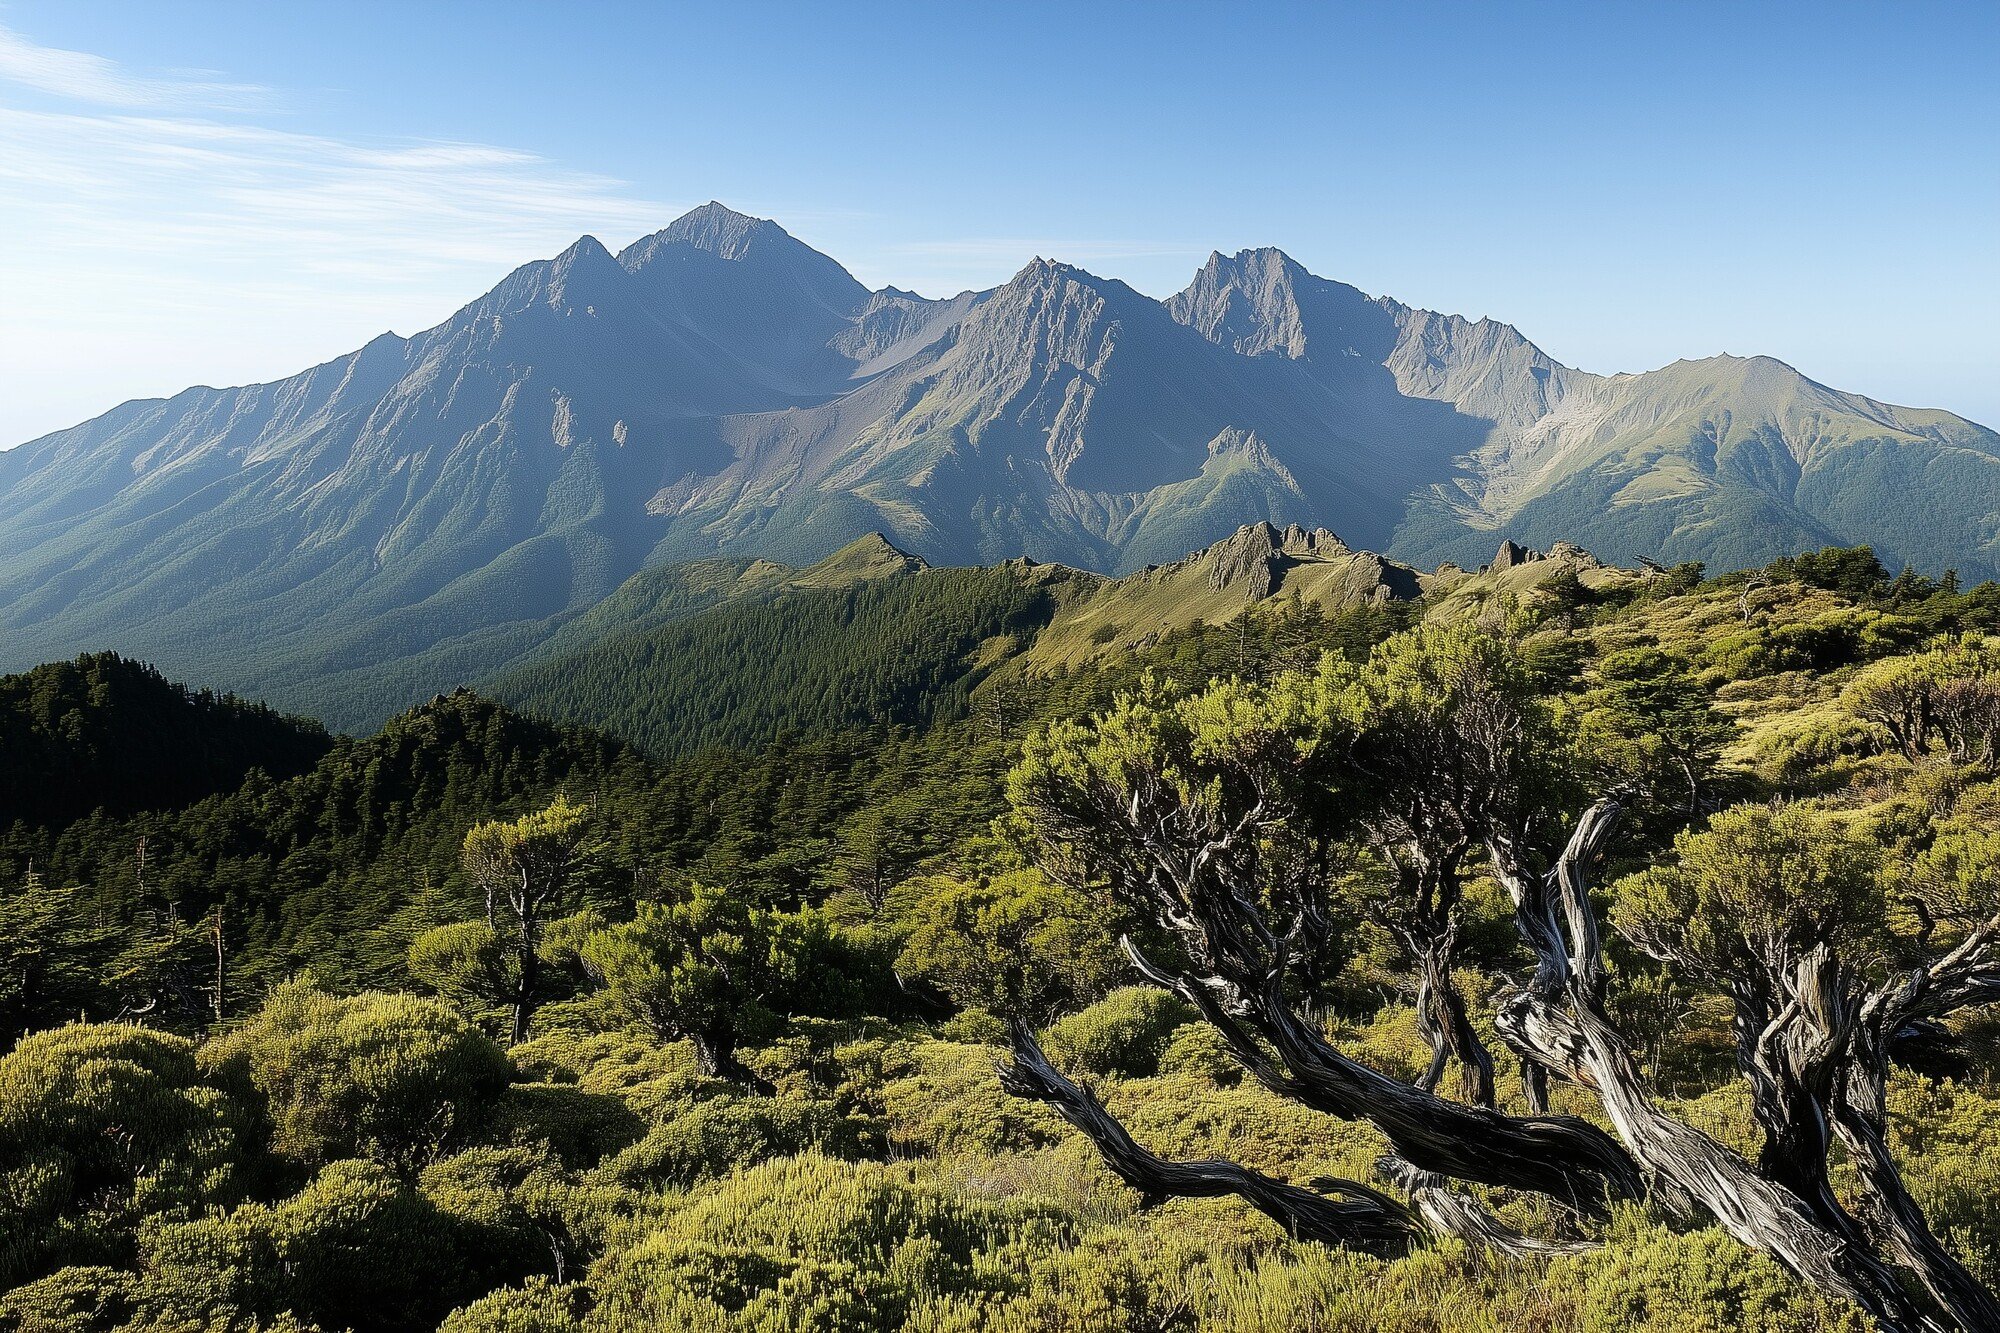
column 391, row 1078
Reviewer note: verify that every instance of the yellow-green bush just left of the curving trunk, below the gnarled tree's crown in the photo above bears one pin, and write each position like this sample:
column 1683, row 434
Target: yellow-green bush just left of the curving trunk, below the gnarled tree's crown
column 1013, row 944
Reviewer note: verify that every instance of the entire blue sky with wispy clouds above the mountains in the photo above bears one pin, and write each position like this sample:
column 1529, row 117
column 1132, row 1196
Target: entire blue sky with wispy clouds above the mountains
column 229, row 191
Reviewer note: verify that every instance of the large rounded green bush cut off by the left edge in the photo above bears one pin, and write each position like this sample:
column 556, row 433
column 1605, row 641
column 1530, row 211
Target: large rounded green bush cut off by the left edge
column 103, row 1126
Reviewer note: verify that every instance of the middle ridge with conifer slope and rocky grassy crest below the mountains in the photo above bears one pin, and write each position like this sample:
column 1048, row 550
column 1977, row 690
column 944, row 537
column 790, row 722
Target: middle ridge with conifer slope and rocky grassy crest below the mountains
column 735, row 655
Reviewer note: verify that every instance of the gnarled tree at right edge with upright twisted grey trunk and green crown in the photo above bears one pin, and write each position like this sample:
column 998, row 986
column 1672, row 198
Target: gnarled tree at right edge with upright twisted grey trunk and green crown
column 1789, row 916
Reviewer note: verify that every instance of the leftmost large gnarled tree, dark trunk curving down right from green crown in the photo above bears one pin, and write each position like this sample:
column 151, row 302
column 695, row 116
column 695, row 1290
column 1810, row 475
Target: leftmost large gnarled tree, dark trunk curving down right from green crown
column 1183, row 812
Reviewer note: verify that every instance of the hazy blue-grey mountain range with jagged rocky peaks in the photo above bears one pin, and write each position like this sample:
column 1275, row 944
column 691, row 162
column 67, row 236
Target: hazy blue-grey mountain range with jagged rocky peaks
column 433, row 509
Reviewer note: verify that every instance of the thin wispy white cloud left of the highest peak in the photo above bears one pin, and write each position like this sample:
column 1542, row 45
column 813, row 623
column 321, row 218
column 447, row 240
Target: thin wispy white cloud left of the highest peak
column 165, row 233
